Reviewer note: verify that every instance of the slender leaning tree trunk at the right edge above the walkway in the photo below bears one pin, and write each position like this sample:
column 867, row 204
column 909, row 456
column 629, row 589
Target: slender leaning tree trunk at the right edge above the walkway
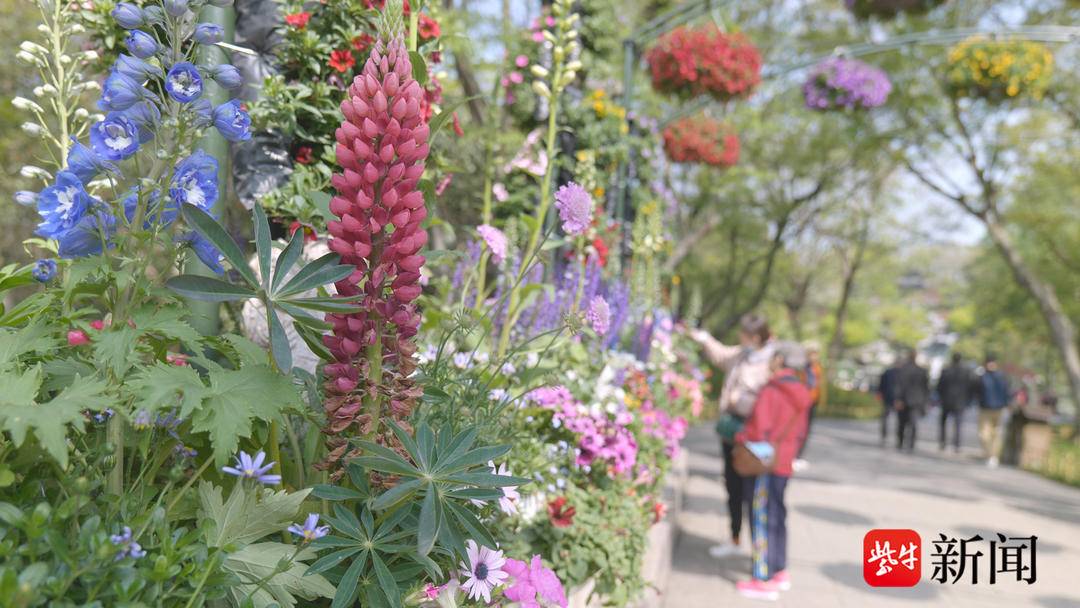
column 1062, row 330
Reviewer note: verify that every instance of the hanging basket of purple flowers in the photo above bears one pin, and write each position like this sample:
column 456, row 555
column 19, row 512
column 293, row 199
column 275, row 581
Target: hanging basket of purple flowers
column 840, row 84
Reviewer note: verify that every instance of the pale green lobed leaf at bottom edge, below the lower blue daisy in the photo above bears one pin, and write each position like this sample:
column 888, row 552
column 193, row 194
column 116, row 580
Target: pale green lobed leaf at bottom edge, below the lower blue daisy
column 260, row 562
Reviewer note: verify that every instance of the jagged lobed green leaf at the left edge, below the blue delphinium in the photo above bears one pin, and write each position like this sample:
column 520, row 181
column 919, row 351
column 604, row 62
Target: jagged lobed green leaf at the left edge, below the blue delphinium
column 20, row 413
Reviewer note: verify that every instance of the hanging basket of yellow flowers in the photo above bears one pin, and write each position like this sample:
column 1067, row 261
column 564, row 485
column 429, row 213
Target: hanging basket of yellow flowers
column 1000, row 70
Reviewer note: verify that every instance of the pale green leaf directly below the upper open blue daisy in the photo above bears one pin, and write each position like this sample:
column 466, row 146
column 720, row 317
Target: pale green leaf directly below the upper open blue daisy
column 249, row 514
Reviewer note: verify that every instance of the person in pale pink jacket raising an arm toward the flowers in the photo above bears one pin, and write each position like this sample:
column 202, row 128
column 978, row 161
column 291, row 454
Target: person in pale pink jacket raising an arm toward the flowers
column 747, row 371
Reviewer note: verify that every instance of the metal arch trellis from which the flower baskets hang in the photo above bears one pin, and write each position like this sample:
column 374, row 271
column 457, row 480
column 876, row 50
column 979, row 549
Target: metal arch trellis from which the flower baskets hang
column 691, row 11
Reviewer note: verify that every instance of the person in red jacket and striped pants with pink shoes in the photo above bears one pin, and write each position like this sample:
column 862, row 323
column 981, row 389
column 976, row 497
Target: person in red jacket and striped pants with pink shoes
column 779, row 420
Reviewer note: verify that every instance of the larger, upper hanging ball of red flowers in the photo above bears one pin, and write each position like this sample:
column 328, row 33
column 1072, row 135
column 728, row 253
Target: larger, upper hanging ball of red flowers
column 692, row 62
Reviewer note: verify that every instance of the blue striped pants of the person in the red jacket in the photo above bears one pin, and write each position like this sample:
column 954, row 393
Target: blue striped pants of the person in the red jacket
column 768, row 525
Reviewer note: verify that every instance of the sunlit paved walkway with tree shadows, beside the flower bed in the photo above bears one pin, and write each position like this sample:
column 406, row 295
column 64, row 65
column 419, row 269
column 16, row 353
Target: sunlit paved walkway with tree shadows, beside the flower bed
column 855, row 485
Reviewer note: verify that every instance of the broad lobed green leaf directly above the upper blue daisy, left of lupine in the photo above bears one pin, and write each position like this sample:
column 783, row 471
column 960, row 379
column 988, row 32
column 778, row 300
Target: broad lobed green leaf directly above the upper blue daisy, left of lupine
column 237, row 398
